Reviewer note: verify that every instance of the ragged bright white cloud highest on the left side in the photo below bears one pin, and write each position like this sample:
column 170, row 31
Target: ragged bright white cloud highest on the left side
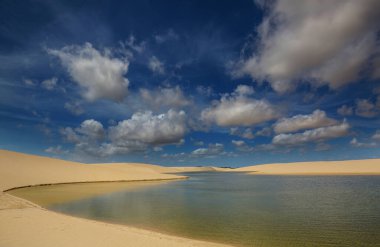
column 98, row 73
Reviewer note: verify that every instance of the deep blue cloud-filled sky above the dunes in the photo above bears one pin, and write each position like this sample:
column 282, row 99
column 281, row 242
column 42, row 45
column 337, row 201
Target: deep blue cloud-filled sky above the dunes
column 184, row 83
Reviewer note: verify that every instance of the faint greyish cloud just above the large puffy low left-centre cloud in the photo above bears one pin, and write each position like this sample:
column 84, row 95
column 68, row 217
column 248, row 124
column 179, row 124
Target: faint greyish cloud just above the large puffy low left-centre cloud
column 171, row 97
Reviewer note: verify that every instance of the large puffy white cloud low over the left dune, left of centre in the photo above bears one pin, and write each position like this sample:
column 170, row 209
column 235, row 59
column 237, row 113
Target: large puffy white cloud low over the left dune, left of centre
column 152, row 129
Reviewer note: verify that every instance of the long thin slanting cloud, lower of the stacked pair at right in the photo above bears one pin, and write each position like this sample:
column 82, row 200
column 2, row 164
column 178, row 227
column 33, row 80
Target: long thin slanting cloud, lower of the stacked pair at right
column 314, row 135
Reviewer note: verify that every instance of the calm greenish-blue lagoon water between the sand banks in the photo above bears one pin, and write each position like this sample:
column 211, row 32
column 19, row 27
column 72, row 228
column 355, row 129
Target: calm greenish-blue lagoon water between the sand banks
column 234, row 208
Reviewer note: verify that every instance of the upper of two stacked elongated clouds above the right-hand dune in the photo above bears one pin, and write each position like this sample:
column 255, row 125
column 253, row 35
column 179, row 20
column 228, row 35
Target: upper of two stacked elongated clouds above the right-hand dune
column 300, row 122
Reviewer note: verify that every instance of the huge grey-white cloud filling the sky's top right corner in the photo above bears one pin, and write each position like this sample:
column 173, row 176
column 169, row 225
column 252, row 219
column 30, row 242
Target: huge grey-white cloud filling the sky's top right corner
column 323, row 42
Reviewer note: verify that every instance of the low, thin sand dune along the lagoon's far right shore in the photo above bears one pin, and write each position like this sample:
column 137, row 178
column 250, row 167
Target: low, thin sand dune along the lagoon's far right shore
column 348, row 167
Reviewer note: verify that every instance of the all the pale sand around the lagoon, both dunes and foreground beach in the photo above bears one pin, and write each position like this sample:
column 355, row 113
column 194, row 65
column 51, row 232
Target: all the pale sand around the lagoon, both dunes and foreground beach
column 23, row 223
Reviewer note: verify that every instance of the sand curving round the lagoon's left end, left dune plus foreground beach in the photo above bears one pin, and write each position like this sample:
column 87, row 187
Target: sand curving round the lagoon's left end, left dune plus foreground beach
column 25, row 224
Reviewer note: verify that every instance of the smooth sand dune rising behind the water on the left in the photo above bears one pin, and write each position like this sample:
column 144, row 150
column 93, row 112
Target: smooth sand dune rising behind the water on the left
column 18, row 169
